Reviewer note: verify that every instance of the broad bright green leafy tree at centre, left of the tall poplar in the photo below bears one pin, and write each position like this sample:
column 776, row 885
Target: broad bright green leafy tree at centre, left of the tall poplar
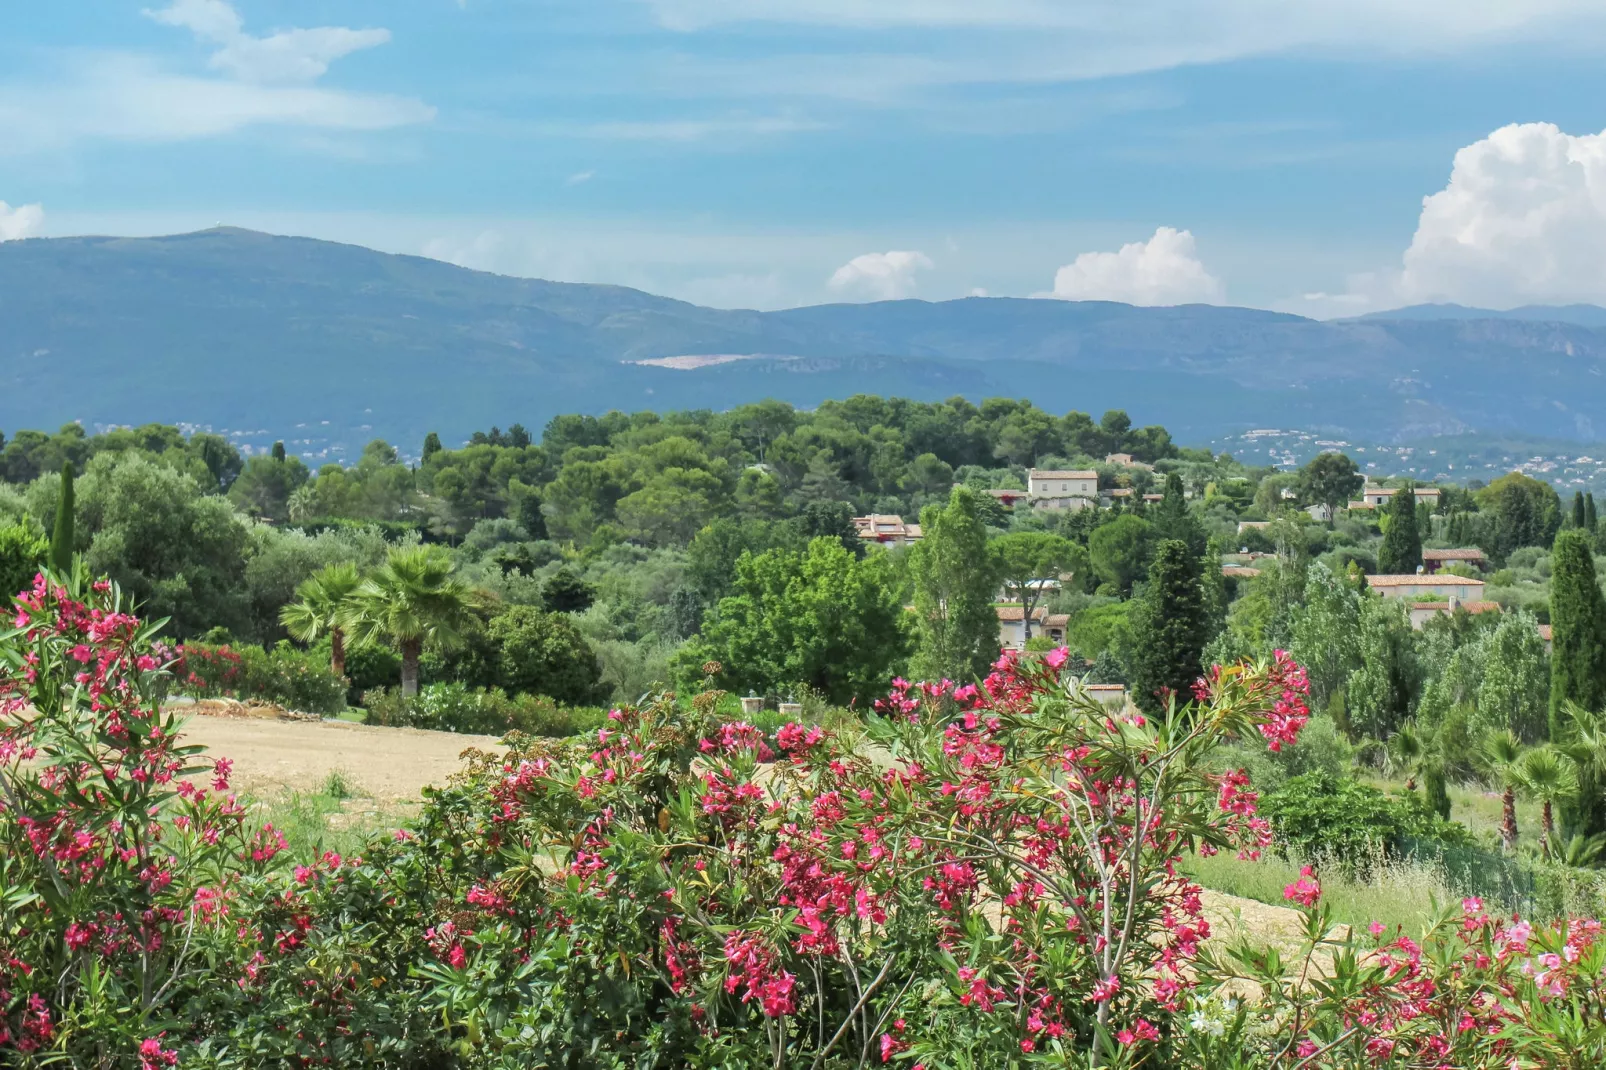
column 818, row 618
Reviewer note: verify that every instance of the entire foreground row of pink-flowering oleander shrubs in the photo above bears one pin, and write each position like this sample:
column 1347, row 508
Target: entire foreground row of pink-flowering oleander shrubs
column 995, row 883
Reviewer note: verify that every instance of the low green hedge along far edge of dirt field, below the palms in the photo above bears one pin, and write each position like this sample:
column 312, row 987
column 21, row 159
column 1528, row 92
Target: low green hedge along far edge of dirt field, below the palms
column 454, row 708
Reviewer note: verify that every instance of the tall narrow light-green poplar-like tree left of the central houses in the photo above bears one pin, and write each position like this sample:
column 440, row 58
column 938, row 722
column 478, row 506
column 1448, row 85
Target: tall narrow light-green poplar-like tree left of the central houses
column 953, row 592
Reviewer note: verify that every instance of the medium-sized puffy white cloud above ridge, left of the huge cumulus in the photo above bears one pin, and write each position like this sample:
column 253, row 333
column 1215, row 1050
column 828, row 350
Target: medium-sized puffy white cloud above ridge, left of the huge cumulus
column 1164, row 271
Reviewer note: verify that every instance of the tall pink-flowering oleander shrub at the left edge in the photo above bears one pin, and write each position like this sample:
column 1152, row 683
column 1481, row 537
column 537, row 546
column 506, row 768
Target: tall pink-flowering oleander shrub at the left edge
column 112, row 857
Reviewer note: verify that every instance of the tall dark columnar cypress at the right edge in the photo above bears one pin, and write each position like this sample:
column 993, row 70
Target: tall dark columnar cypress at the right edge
column 1578, row 627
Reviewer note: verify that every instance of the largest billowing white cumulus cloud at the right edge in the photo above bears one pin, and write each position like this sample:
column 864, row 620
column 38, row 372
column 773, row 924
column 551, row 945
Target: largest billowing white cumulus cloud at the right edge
column 1523, row 219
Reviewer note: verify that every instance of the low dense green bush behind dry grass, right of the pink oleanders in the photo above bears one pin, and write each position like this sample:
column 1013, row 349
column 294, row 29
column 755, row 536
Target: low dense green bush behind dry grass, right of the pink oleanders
column 1329, row 820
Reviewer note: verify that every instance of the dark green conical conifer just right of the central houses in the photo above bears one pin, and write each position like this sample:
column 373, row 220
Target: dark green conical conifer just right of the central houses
column 1168, row 629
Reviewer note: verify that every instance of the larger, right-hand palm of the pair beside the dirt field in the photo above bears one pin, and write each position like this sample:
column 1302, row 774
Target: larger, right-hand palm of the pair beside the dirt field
column 410, row 600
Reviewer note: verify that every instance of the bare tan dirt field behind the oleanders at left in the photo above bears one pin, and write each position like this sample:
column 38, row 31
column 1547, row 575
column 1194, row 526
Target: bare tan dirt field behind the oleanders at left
column 388, row 764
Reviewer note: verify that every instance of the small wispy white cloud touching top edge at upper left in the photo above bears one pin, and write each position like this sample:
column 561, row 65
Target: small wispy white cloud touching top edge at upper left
column 295, row 55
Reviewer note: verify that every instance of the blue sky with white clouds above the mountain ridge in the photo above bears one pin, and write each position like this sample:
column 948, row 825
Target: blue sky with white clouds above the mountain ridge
column 1315, row 157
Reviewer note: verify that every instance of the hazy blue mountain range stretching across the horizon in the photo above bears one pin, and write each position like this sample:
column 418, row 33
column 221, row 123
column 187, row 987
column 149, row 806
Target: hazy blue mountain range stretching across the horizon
column 328, row 346
